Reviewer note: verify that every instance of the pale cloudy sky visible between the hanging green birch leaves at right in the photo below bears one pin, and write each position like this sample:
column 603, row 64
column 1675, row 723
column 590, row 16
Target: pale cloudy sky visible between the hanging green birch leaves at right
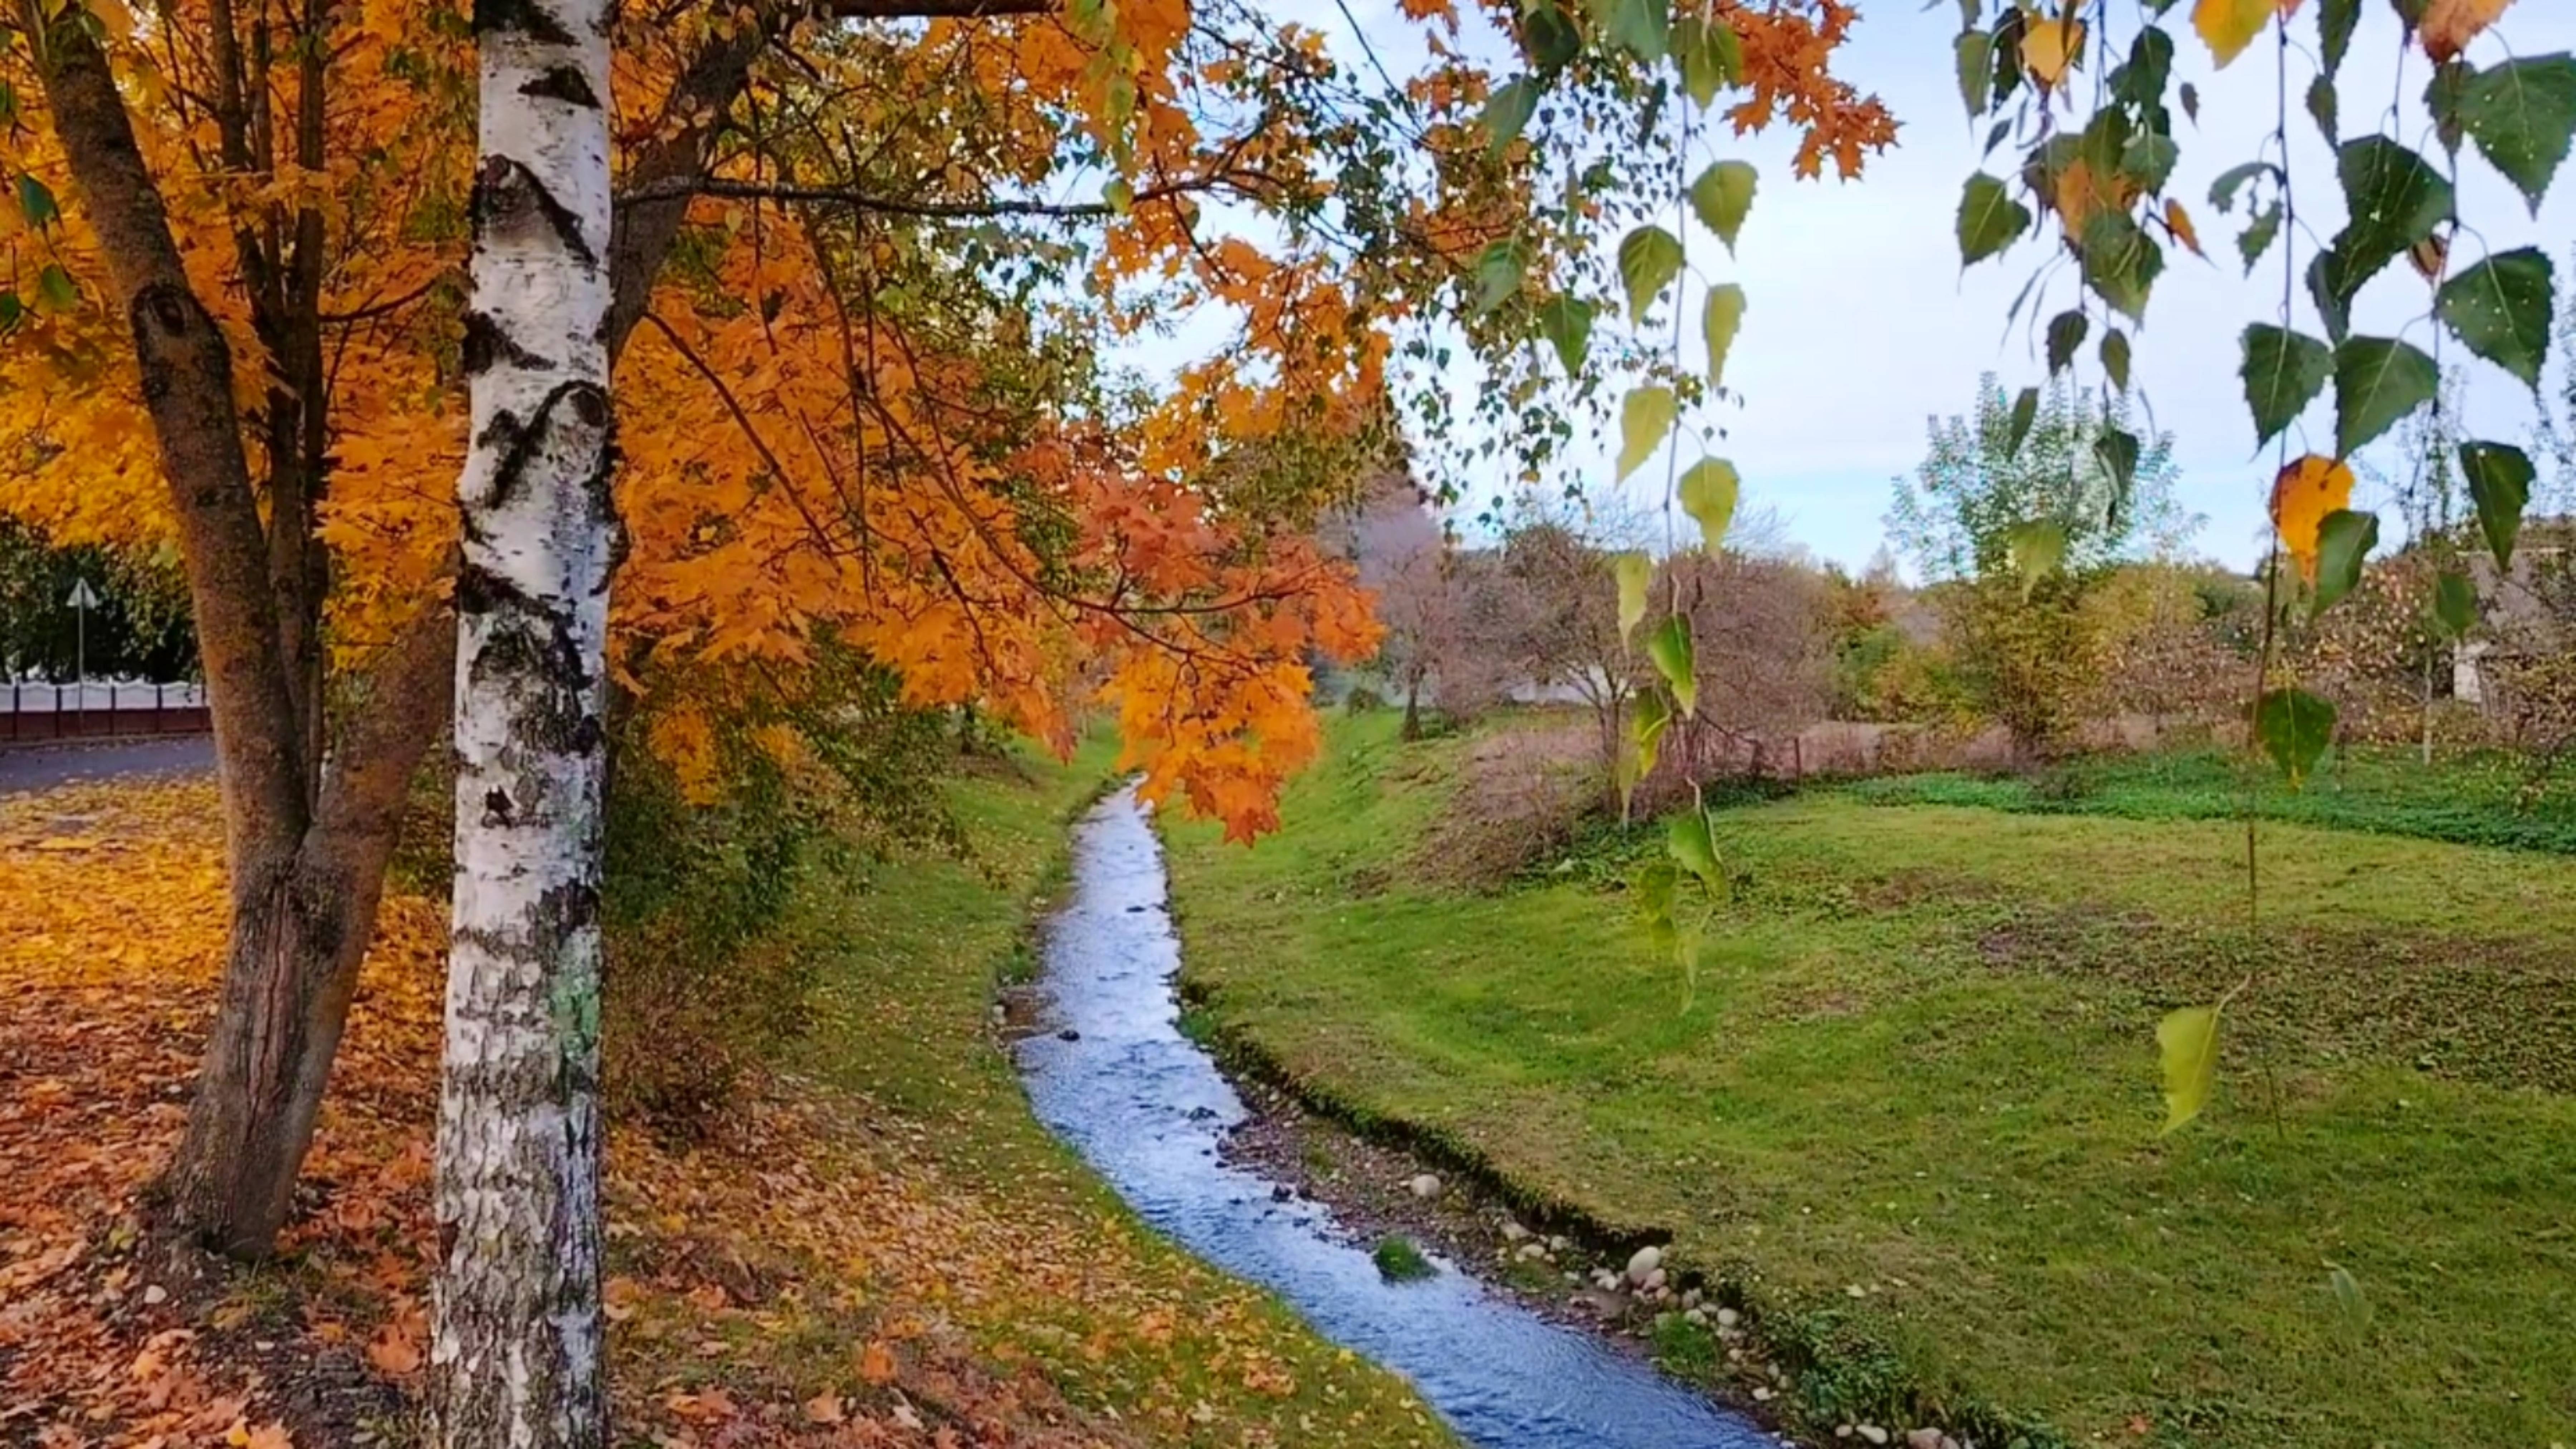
column 1861, row 324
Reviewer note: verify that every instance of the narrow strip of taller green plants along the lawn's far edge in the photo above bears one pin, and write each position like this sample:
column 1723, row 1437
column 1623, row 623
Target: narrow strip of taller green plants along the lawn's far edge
column 2477, row 801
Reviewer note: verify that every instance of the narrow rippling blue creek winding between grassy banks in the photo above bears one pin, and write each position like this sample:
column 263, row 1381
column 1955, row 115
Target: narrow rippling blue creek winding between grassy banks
column 1119, row 1082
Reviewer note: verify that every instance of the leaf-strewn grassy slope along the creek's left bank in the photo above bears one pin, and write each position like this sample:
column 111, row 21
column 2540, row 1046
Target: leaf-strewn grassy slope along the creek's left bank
column 1114, row 1314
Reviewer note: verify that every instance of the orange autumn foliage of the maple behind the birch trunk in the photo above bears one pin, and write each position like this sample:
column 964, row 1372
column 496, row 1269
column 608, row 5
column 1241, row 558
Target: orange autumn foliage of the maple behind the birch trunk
column 872, row 393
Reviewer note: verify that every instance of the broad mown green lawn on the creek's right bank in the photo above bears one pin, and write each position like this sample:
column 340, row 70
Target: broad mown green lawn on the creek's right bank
column 1910, row 1094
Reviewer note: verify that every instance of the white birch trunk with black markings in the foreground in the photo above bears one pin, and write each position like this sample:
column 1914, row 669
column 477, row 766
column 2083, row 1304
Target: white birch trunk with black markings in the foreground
column 516, row 1345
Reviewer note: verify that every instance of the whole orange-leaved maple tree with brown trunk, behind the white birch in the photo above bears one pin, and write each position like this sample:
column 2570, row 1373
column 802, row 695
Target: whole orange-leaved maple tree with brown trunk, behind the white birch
column 857, row 336
